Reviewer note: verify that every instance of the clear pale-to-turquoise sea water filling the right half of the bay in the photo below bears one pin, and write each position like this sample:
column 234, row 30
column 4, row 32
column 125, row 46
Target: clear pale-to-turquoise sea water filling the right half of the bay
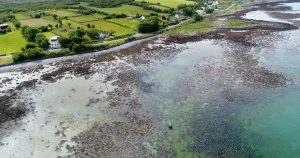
column 253, row 123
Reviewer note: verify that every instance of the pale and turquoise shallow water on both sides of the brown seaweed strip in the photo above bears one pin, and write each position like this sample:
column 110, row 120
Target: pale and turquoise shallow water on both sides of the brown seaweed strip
column 197, row 91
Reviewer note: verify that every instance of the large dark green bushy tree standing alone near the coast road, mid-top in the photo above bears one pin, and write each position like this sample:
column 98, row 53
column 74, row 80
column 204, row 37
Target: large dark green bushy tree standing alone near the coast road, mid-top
column 150, row 24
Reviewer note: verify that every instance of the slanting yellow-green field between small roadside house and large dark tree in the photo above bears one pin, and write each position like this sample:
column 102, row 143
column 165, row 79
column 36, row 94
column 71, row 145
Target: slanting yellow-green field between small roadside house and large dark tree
column 108, row 26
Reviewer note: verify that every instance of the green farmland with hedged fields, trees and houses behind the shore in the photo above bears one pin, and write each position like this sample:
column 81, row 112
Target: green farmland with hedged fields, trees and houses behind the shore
column 115, row 21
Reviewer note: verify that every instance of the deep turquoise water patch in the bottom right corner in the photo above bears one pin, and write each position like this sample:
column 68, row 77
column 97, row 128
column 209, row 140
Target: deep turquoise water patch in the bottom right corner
column 272, row 125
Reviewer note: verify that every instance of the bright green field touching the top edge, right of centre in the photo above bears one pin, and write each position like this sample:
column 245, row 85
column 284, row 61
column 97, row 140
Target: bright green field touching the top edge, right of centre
column 168, row 3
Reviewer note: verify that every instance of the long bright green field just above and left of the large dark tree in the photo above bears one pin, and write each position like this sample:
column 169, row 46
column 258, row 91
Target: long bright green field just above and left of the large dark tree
column 126, row 9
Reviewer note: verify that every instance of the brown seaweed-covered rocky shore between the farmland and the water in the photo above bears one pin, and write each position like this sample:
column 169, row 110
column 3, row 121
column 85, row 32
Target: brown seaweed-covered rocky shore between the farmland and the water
column 131, row 123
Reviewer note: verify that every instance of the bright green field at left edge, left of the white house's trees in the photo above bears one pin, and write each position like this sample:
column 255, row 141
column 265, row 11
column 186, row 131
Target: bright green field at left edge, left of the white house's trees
column 12, row 42
